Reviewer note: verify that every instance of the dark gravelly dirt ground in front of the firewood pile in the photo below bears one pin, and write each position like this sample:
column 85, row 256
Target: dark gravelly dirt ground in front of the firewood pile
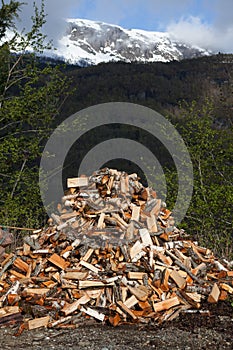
column 189, row 331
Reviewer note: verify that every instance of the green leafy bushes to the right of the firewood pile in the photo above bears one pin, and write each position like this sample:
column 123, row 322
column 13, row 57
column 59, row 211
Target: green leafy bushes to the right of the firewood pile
column 209, row 217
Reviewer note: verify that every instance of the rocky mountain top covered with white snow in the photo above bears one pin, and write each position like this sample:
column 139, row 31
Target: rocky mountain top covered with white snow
column 89, row 42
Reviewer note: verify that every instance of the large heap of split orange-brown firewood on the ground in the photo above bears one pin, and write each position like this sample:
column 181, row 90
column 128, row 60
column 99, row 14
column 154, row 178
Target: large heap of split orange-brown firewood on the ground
column 111, row 253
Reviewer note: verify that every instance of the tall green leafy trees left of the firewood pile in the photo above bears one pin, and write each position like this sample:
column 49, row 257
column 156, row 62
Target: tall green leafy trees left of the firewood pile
column 30, row 100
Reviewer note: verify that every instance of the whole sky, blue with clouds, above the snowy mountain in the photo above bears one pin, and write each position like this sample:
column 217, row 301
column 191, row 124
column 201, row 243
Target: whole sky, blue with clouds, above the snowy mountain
column 206, row 23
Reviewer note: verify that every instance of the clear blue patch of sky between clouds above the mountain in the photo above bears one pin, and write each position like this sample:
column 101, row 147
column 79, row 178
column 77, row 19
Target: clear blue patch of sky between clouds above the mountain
column 146, row 14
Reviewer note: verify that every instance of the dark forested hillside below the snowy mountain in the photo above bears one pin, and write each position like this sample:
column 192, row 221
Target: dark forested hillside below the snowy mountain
column 161, row 86
